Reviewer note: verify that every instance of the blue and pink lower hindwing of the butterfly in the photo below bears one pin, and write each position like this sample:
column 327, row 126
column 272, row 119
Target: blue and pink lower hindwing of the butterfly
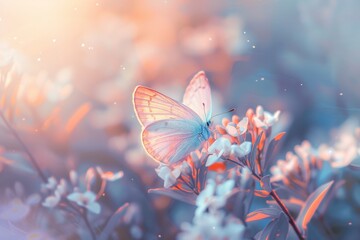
column 169, row 141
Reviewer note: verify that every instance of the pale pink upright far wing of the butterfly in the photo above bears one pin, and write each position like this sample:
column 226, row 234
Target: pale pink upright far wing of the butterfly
column 198, row 96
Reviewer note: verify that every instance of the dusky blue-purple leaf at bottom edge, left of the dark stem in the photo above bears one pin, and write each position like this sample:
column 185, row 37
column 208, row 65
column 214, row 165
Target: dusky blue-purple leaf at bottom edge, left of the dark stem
column 277, row 229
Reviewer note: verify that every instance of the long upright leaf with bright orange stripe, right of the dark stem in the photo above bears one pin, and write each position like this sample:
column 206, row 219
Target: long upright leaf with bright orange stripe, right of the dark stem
column 312, row 204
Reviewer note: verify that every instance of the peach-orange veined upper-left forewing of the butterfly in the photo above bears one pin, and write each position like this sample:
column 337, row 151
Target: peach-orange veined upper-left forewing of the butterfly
column 151, row 106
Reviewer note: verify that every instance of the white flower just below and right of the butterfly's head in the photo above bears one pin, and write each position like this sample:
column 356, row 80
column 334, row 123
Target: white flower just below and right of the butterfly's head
column 221, row 147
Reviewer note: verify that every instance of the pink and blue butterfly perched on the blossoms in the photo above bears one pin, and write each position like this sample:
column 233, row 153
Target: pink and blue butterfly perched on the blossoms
column 171, row 129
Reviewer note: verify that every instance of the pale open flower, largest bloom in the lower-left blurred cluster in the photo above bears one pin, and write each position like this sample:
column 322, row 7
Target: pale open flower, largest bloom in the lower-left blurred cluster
column 87, row 200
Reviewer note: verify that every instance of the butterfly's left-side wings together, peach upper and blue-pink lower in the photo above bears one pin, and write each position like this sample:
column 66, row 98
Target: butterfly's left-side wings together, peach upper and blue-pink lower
column 171, row 130
